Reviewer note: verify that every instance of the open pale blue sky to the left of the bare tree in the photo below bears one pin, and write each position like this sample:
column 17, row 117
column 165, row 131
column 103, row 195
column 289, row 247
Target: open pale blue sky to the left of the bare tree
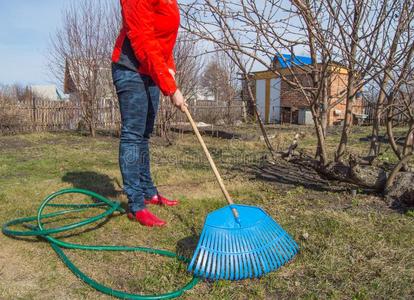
column 26, row 27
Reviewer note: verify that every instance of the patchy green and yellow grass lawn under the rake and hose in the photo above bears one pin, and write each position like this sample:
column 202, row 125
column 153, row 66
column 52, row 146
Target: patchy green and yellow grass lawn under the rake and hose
column 351, row 247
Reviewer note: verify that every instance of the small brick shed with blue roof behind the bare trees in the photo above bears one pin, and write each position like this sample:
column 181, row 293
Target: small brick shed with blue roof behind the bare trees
column 279, row 102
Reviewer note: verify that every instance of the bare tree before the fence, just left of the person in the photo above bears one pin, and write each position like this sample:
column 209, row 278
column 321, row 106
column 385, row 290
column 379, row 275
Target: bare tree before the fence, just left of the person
column 80, row 54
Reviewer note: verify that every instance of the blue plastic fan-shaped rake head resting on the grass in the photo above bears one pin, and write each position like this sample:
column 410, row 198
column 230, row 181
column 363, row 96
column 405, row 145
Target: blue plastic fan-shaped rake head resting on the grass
column 233, row 251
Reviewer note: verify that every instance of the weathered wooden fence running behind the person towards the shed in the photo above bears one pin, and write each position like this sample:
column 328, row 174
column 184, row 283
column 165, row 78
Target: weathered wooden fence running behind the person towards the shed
column 34, row 115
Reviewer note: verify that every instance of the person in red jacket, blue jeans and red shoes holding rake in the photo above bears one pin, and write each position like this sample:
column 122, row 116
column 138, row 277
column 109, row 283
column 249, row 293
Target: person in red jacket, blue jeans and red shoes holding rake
column 142, row 66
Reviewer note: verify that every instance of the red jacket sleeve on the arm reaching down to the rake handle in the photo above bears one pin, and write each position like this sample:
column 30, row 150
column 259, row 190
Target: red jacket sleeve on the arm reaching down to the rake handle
column 138, row 18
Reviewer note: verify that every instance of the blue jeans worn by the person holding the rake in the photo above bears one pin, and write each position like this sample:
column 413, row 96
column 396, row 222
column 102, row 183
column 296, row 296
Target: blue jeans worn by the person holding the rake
column 138, row 99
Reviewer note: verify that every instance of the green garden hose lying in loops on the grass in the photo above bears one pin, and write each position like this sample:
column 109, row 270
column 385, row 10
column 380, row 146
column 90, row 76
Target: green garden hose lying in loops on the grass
column 59, row 245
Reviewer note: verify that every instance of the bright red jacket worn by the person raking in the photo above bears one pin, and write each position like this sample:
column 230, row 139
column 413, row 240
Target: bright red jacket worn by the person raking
column 147, row 39
